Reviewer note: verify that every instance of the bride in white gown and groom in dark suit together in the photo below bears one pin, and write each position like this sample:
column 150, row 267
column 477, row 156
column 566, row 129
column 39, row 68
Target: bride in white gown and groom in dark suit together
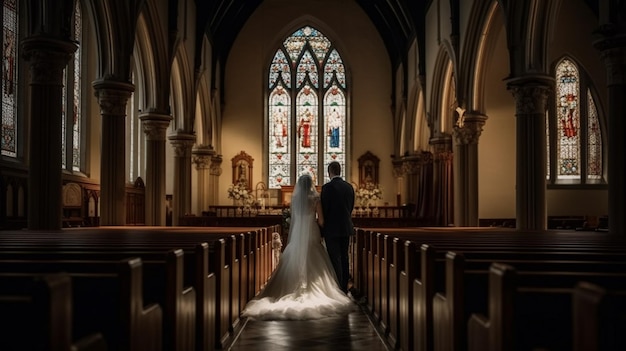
column 311, row 279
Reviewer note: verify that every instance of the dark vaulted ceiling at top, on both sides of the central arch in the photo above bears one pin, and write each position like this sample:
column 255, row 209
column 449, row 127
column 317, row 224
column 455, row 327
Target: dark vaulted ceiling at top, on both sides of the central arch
column 397, row 21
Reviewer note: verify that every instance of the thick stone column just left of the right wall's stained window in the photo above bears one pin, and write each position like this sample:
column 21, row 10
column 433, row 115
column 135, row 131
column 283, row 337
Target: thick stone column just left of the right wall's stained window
column 531, row 94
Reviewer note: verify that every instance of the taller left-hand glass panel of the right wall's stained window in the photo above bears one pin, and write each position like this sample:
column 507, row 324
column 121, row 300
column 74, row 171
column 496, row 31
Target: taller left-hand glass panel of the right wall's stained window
column 568, row 128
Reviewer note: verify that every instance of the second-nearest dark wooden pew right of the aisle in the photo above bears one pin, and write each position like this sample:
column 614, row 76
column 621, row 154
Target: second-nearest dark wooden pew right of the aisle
column 529, row 313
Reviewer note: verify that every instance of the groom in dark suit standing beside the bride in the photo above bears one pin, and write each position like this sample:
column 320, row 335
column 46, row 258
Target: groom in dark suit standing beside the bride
column 337, row 199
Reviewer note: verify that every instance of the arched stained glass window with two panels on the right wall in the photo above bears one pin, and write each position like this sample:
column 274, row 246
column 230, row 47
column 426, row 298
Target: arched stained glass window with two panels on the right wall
column 576, row 138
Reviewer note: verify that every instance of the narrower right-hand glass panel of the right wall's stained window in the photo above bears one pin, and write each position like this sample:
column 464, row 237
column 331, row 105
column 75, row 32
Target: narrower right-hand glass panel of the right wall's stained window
column 594, row 141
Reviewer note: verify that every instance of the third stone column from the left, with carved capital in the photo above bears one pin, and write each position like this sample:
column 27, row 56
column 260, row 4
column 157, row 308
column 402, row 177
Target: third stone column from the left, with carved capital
column 155, row 126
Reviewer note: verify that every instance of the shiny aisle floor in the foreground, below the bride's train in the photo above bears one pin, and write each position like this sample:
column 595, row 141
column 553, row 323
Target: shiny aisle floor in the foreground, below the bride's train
column 350, row 332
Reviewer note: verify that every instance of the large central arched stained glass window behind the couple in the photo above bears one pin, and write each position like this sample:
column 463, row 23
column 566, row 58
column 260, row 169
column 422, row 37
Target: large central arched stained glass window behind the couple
column 307, row 109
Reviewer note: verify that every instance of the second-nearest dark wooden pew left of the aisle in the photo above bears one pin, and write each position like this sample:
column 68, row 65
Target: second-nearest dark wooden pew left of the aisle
column 107, row 298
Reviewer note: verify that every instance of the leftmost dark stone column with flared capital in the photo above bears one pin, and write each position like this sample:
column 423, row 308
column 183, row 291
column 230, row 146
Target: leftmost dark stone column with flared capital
column 47, row 57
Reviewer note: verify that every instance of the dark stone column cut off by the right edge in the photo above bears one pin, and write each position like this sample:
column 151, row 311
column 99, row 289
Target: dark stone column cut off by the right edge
column 611, row 42
